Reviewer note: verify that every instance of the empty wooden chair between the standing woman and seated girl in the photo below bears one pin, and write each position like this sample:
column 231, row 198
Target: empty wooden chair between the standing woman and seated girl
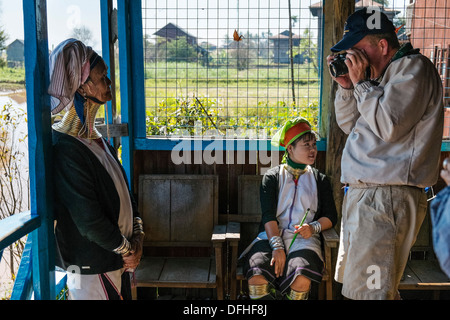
column 180, row 213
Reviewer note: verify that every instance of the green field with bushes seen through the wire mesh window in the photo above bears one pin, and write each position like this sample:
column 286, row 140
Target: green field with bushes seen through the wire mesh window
column 256, row 98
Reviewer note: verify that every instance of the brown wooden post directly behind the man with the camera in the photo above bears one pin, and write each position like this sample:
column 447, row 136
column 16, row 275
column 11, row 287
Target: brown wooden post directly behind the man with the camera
column 335, row 14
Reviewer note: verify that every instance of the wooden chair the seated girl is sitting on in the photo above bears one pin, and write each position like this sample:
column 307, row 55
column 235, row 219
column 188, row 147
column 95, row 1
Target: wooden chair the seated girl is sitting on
column 244, row 229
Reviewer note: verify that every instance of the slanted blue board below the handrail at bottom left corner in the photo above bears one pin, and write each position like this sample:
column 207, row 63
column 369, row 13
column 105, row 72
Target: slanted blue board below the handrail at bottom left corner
column 23, row 283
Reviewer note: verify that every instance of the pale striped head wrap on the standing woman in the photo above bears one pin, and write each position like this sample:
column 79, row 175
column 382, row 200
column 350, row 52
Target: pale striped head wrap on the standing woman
column 70, row 65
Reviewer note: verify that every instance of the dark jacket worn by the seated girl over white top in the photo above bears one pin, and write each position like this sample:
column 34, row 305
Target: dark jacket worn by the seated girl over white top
column 269, row 197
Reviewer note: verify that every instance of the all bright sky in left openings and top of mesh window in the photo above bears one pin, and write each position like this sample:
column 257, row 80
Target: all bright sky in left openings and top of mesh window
column 210, row 21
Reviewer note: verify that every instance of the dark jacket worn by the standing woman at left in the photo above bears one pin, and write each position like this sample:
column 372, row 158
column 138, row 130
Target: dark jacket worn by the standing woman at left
column 86, row 208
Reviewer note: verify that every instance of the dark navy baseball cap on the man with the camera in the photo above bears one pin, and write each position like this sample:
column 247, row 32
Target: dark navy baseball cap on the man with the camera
column 362, row 23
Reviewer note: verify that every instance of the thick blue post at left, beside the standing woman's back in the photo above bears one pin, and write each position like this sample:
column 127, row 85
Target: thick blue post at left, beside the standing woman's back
column 39, row 141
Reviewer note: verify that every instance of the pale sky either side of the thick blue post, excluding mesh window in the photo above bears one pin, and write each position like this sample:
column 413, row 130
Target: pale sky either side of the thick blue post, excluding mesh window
column 62, row 17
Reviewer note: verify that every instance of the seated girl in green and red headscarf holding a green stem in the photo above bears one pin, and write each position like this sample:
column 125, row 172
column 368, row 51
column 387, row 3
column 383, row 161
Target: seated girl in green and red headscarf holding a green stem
column 286, row 256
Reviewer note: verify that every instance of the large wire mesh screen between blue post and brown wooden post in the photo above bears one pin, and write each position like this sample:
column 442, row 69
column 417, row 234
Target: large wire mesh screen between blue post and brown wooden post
column 233, row 68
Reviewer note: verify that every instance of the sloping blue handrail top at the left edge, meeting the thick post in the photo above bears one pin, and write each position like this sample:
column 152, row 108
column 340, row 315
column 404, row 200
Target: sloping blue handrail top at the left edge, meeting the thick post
column 17, row 226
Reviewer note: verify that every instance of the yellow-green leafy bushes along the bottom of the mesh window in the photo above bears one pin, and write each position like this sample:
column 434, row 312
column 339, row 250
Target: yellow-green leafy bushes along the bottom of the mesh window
column 199, row 116
